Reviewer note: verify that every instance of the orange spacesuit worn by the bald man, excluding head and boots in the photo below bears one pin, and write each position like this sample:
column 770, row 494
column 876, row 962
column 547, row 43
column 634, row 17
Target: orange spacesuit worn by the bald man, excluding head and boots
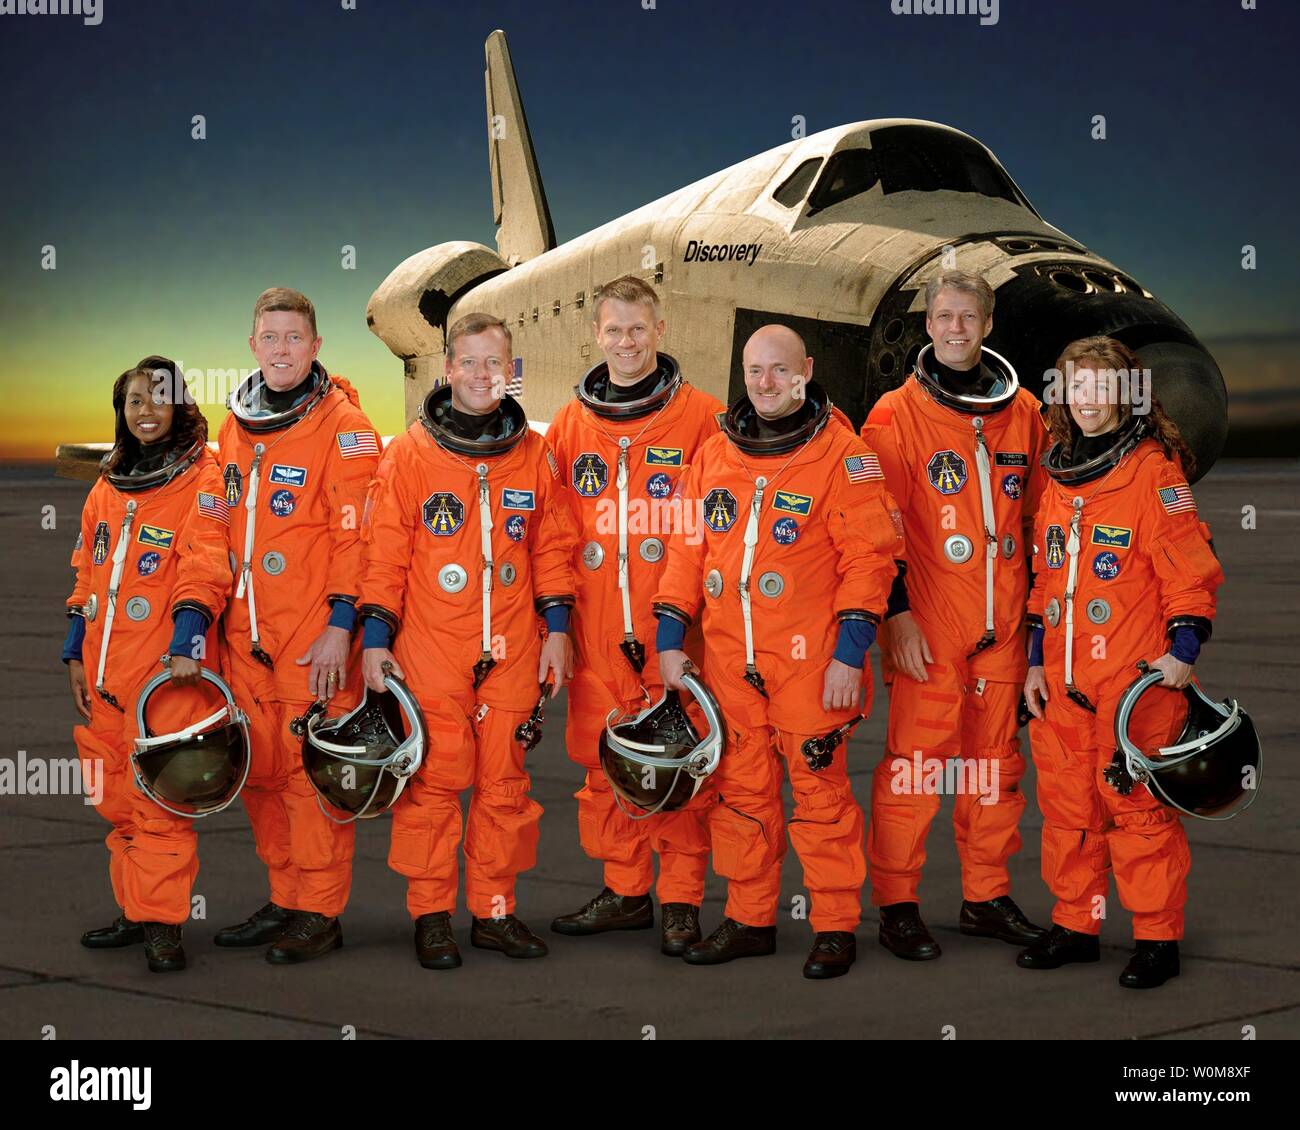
column 822, row 536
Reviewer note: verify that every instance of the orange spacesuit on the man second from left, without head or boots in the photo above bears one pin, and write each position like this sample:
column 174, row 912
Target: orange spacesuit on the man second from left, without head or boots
column 304, row 549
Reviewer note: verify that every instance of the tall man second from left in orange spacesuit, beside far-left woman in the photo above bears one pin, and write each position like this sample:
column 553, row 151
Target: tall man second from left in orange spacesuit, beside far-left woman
column 297, row 454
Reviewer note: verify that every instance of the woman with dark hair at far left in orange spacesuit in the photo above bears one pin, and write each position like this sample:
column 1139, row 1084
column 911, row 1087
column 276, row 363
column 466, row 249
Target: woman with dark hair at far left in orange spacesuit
column 154, row 538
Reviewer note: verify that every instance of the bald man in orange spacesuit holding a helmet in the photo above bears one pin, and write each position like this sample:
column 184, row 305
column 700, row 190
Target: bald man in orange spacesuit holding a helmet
column 791, row 572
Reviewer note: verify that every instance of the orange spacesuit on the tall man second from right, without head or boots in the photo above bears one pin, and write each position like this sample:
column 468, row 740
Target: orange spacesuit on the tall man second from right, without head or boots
column 967, row 583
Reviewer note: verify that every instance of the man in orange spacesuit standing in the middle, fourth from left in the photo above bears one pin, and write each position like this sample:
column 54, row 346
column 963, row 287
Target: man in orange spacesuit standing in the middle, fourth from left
column 623, row 445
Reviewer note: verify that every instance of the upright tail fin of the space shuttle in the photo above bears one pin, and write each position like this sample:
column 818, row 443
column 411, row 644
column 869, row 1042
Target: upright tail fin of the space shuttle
column 519, row 202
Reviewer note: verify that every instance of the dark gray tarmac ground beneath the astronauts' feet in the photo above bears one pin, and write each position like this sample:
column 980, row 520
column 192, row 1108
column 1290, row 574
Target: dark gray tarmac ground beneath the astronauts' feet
column 1240, row 958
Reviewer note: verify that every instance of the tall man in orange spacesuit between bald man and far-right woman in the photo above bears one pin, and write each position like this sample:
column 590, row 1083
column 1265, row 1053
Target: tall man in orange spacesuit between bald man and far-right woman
column 960, row 445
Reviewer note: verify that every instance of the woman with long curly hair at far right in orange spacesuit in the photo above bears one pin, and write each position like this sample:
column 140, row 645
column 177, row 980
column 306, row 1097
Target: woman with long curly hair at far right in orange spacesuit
column 1124, row 572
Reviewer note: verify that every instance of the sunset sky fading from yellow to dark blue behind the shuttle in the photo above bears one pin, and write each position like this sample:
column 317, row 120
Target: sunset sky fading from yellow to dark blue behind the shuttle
column 367, row 128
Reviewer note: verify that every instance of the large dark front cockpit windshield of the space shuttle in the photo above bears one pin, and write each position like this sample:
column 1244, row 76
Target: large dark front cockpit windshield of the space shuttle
column 915, row 159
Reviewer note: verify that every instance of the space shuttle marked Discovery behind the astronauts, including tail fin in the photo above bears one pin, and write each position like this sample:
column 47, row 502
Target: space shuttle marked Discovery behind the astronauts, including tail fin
column 834, row 235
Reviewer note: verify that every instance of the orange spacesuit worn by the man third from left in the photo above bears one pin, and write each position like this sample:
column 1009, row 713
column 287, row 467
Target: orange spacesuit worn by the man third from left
column 430, row 513
